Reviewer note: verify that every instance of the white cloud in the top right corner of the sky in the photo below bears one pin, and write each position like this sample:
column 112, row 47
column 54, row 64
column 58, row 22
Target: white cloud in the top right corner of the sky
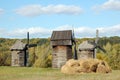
column 109, row 5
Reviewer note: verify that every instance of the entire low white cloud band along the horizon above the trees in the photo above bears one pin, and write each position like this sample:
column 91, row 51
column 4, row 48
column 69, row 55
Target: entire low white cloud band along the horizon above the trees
column 80, row 32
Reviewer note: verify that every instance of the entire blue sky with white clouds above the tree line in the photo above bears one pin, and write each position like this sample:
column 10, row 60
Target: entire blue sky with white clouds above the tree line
column 41, row 17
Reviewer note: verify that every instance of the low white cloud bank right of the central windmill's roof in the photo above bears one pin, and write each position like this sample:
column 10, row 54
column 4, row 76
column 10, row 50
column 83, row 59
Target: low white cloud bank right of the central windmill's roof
column 103, row 31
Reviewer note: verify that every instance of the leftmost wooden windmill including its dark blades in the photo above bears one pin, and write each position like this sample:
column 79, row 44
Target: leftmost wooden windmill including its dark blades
column 20, row 52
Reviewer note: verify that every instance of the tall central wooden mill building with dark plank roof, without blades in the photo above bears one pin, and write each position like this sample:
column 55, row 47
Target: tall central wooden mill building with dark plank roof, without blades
column 61, row 42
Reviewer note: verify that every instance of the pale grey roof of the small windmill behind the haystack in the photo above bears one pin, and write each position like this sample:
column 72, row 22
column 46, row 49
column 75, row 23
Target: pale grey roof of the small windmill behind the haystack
column 87, row 45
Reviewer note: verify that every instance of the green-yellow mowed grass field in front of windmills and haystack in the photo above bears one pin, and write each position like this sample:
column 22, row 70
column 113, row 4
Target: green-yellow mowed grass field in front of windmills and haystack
column 30, row 73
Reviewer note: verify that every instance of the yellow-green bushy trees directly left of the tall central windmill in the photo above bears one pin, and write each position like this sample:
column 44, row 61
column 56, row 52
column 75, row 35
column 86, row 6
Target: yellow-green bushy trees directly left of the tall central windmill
column 44, row 55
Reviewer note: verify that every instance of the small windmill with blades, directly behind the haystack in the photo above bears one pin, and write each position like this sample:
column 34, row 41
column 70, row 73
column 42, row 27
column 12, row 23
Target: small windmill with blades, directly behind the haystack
column 88, row 49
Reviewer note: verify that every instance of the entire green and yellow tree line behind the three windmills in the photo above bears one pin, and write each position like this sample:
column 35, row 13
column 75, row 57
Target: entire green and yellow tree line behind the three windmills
column 41, row 56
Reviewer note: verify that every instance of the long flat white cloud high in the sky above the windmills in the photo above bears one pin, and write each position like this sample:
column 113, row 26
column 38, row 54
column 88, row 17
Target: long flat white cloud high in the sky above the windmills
column 36, row 10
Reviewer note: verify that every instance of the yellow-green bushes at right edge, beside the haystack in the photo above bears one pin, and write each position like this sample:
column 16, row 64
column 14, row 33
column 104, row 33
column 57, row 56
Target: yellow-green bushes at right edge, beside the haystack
column 112, row 55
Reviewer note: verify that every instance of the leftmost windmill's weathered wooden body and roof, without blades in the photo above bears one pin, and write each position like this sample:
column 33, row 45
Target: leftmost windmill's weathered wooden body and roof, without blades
column 18, row 51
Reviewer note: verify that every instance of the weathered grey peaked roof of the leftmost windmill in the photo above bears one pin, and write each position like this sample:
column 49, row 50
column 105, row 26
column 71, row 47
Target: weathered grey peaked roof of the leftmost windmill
column 18, row 45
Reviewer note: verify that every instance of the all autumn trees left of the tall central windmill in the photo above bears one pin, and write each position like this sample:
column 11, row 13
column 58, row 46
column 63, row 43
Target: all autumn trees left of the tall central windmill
column 39, row 56
